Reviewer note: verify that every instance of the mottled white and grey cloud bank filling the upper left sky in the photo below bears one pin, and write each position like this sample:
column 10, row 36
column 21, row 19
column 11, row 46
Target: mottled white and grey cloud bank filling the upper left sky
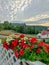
column 11, row 7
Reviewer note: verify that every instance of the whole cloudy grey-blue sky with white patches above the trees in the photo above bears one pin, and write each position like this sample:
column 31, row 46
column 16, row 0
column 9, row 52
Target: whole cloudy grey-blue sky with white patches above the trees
column 24, row 10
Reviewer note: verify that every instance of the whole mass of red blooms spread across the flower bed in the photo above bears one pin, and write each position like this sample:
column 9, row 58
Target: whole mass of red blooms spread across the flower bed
column 20, row 45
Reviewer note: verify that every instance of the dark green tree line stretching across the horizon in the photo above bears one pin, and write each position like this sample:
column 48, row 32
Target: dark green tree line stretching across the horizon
column 21, row 28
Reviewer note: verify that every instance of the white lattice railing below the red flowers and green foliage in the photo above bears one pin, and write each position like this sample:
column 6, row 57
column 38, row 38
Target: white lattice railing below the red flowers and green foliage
column 8, row 58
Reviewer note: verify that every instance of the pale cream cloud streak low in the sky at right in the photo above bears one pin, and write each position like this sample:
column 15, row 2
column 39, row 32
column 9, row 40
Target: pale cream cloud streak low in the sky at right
column 37, row 17
